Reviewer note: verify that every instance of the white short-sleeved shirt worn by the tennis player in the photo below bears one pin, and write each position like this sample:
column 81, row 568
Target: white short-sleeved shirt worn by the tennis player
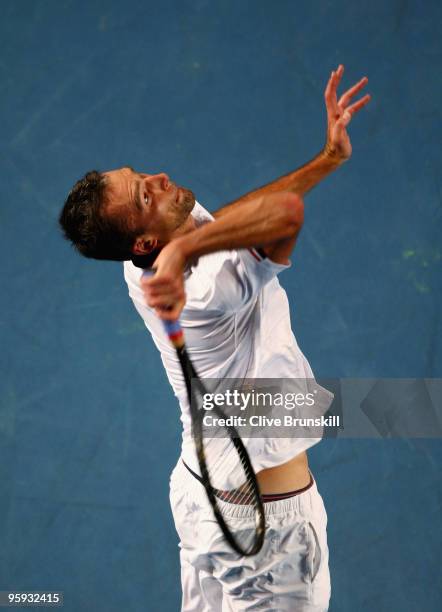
column 236, row 323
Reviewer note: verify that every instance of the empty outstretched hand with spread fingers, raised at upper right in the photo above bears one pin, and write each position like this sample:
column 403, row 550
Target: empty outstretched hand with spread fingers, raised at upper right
column 340, row 113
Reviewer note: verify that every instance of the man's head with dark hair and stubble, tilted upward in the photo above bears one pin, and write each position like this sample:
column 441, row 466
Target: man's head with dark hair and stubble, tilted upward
column 122, row 213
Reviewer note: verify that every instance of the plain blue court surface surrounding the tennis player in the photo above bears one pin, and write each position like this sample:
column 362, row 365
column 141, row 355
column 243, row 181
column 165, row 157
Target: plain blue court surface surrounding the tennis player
column 225, row 97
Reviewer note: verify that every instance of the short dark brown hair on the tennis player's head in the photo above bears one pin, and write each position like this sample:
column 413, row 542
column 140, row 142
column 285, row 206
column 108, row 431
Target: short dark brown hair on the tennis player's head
column 85, row 223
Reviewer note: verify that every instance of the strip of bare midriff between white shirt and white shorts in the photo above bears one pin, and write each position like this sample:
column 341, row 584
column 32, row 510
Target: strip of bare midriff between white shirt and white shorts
column 286, row 477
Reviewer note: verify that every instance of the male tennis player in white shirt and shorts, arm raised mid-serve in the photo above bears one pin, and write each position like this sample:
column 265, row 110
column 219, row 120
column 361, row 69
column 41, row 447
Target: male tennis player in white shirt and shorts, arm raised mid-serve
column 219, row 274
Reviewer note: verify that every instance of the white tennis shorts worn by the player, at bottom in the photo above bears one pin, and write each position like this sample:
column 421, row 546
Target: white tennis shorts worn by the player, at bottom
column 290, row 573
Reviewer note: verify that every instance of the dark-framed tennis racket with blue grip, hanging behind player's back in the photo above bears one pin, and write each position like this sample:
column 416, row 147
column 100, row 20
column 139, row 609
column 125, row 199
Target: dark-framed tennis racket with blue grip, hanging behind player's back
column 225, row 454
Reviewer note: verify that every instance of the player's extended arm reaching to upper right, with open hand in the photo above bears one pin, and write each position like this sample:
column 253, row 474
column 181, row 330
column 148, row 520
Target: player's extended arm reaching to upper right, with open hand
column 336, row 151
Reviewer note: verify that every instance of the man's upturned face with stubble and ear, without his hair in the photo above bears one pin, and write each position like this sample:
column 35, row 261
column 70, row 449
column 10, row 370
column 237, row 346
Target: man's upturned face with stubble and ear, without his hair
column 148, row 201
